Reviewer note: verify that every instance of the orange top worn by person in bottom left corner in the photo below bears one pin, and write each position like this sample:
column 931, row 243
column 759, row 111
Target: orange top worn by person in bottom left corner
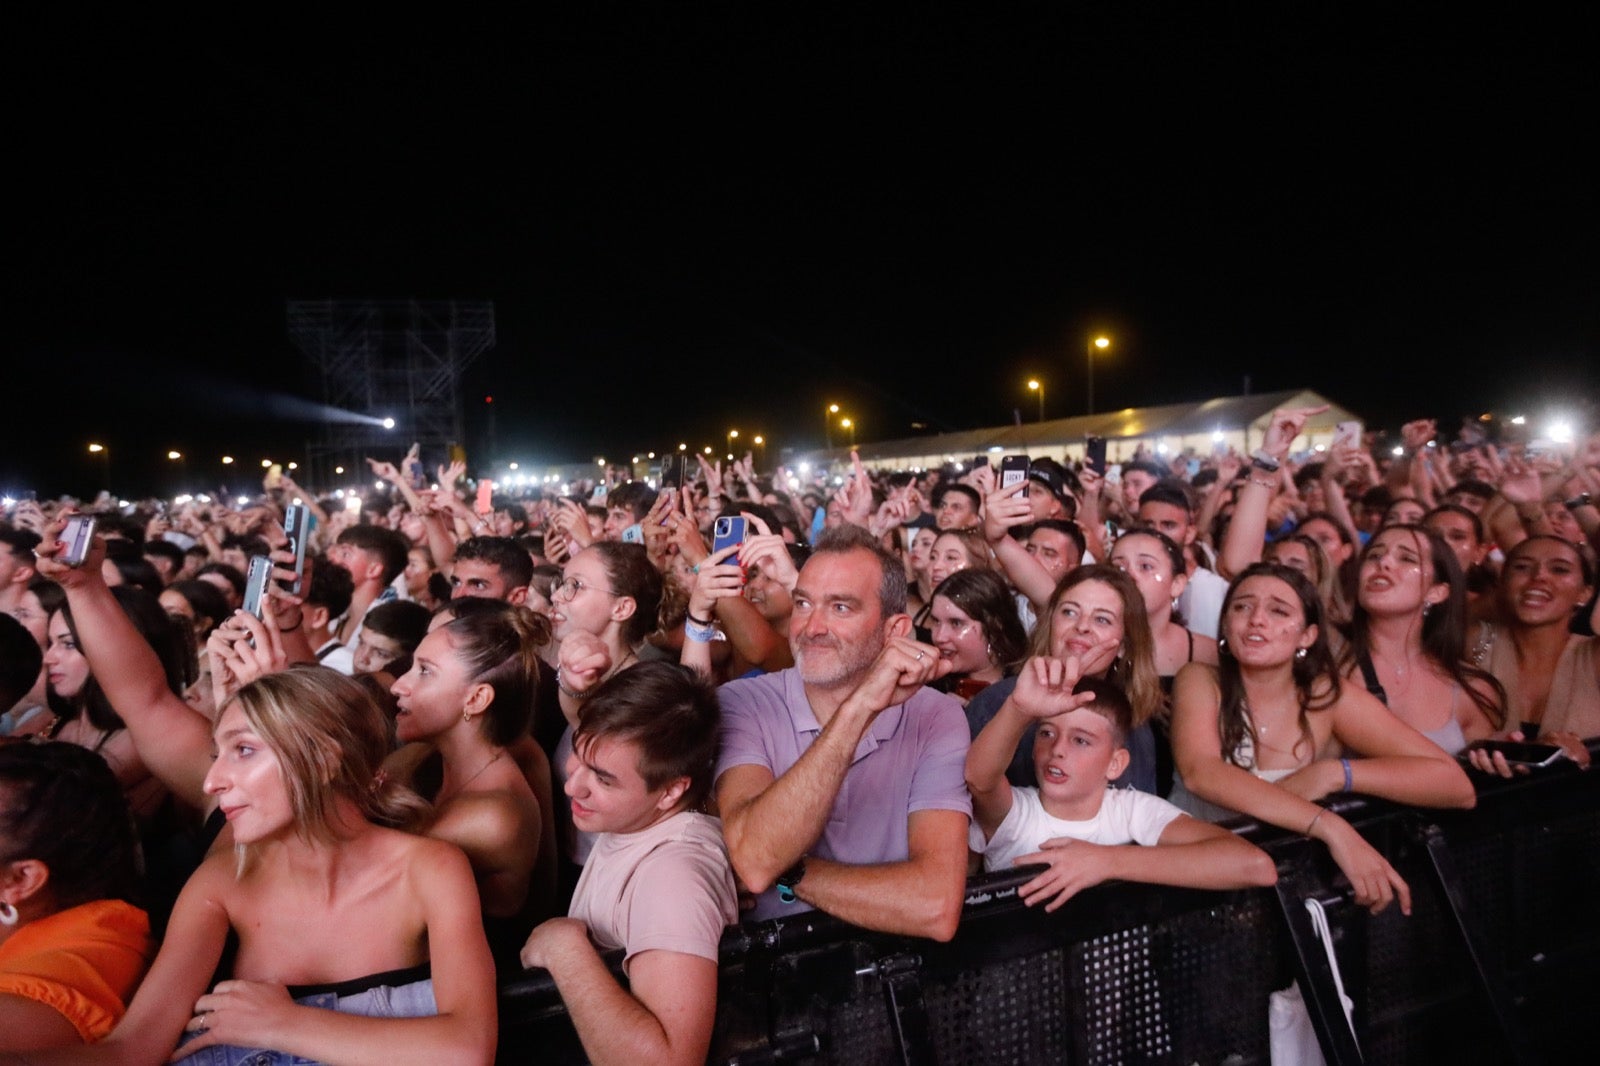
column 84, row 963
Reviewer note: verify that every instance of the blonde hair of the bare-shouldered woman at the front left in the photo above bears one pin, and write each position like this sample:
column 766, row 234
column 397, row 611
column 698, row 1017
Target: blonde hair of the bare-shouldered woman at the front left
column 330, row 742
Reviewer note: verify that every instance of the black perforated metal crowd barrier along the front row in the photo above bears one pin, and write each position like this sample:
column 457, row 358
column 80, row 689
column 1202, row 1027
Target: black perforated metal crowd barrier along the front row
column 1500, row 961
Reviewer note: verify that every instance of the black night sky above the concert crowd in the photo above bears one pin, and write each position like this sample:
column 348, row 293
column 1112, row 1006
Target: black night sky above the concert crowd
column 706, row 217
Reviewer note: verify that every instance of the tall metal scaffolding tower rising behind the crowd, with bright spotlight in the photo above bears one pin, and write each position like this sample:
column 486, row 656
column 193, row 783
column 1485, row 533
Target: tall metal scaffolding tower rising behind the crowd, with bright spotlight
column 398, row 359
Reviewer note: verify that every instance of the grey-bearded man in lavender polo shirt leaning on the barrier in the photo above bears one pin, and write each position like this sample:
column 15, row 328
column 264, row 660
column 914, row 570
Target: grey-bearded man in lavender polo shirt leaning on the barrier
column 841, row 782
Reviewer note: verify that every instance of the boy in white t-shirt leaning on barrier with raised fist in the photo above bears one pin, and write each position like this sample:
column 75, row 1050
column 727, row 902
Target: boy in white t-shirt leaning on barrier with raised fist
column 1082, row 830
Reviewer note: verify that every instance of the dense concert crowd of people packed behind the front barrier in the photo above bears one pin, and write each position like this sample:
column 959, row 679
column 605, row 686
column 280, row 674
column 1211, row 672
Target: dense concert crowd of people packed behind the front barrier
column 487, row 740
